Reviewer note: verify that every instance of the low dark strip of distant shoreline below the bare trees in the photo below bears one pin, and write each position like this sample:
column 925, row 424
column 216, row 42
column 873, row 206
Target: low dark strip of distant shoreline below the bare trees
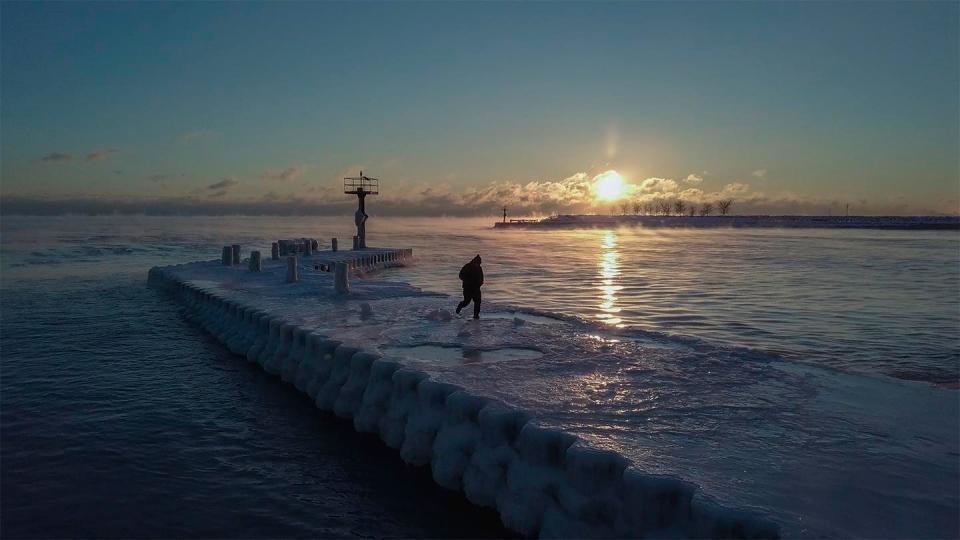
column 787, row 222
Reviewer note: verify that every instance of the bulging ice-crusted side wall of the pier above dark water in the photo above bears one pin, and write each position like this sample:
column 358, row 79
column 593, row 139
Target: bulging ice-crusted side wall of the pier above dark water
column 542, row 481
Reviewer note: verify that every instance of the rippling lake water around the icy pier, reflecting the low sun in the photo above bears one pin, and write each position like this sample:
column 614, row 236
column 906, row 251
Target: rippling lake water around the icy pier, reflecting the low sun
column 119, row 419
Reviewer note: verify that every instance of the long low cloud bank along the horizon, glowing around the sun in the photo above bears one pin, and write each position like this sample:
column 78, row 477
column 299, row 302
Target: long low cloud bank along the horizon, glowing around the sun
column 571, row 195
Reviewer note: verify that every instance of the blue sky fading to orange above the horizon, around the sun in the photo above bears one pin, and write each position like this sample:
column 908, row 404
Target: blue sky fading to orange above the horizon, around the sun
column 462, row 108
